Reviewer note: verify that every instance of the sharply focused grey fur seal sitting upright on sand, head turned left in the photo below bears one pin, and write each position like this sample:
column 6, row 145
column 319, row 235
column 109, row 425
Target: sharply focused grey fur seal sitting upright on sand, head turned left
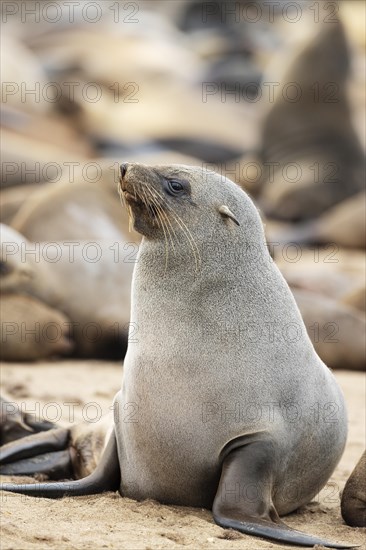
column 204, row 271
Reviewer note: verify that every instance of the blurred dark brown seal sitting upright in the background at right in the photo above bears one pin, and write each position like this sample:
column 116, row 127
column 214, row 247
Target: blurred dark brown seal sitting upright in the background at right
column 309, row 138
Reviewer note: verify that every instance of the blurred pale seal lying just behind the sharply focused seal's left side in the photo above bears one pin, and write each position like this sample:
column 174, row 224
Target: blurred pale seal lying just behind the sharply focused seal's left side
column 89, row 282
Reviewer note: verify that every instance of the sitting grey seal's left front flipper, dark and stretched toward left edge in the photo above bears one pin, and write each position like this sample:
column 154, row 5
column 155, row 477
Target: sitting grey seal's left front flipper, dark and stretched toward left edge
column 106, row 477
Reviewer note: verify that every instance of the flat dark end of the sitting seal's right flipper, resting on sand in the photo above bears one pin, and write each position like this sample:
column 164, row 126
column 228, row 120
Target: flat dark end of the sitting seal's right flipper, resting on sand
column 278, row 532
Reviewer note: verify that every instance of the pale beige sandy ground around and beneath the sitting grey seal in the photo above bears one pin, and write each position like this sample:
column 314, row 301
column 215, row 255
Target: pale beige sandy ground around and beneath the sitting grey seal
column 109, row 521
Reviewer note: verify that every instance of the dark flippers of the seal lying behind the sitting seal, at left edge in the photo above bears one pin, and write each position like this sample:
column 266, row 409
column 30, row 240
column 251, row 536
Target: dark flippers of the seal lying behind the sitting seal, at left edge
column 41, row 453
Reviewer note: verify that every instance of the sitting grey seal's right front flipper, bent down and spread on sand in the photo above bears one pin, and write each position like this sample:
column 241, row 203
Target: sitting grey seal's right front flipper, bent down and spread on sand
column 243, row 500
